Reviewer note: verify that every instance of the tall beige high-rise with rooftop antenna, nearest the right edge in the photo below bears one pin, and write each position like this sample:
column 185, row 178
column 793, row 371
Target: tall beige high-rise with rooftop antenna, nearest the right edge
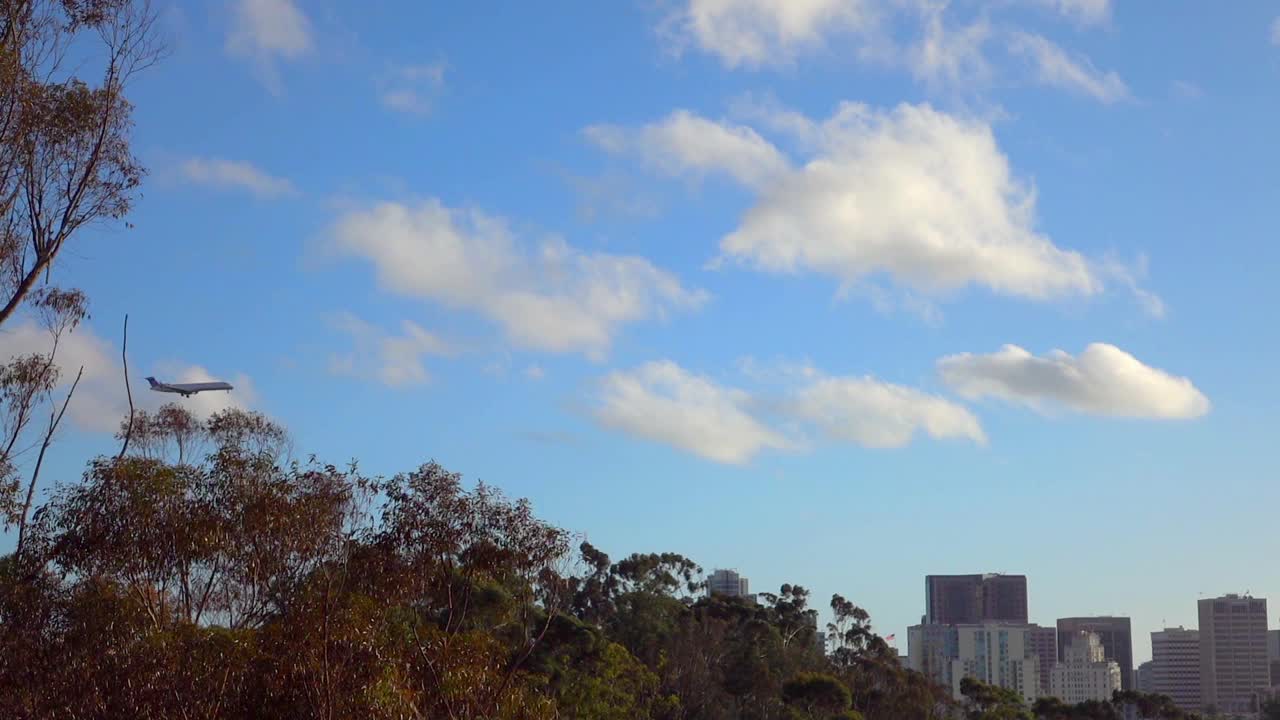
column 1235, row 669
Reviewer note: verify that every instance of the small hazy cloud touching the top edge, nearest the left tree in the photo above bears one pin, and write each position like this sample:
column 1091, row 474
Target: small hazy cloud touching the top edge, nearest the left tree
column 266, row 31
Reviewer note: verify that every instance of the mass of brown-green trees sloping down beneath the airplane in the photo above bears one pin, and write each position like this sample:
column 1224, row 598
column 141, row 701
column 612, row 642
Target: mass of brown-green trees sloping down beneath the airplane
column 203, row 575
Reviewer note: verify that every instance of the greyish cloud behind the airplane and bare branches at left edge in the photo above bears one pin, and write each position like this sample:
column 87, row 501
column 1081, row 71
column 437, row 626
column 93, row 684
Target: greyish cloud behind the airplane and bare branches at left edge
column 100, row 403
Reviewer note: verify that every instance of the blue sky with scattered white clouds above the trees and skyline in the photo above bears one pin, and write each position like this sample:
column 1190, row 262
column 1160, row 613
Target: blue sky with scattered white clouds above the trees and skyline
column 839, row 293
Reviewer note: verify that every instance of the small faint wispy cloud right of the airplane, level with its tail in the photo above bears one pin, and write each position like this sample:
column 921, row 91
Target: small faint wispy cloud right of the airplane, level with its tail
column 386, row 358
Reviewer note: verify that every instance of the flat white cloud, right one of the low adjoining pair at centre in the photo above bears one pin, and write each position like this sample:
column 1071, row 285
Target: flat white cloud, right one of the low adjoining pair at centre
column 876, row 414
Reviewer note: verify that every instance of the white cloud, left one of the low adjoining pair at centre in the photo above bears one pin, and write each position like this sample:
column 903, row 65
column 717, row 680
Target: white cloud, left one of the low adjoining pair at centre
column 664, row 403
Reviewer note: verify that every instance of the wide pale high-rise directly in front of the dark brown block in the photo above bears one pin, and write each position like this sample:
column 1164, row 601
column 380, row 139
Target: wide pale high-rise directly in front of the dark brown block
column 998, row 654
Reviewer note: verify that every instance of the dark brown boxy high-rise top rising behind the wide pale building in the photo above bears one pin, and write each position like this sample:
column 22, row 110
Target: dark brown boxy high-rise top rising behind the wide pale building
column 968, row 600
